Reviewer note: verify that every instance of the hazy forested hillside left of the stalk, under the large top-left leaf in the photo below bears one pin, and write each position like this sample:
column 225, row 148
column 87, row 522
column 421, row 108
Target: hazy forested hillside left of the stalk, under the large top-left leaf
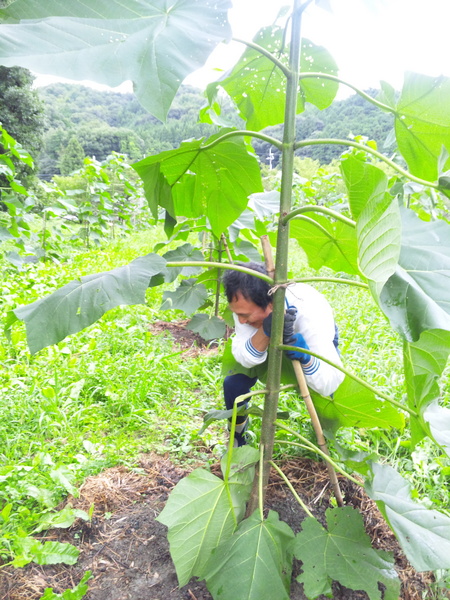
column 106, row 121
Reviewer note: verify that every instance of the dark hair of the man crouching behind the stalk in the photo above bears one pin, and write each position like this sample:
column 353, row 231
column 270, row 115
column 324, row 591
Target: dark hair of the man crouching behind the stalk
column 252, row 288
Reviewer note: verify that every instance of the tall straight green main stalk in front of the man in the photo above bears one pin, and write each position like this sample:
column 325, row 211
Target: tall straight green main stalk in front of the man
column 281, row 264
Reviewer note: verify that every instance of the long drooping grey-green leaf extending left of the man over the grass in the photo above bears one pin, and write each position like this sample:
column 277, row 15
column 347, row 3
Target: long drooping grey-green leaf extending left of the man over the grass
column 83, row 301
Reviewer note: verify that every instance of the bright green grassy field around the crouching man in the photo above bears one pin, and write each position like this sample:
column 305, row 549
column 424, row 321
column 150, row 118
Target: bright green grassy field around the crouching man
column 116, row 390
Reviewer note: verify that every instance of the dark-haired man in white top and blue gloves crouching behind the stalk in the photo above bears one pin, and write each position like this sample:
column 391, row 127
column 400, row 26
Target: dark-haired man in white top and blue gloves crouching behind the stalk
column 308, row 324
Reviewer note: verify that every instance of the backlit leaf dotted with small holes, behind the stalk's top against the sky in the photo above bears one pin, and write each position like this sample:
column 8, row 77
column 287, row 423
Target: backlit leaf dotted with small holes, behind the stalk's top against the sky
column 258, row 86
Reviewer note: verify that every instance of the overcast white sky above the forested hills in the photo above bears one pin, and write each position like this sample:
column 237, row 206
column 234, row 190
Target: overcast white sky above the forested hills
column 369, row 39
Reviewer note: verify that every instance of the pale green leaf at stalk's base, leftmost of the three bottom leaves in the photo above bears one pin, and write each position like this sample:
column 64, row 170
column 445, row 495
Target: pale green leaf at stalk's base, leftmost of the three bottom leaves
column 203, row 511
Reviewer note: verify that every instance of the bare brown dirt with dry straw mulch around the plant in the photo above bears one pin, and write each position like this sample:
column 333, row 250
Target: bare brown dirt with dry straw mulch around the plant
column 127, row 550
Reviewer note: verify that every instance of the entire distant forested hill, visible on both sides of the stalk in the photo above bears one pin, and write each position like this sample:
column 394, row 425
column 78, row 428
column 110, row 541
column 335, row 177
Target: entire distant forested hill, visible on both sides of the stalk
column 105, row 121
